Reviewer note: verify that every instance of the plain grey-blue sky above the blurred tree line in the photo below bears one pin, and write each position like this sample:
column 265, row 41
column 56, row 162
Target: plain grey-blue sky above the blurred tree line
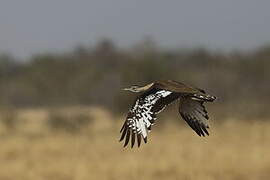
column 33, row 26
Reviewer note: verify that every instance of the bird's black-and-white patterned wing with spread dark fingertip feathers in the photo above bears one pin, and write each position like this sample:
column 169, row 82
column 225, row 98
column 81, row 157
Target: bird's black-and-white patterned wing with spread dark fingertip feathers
column 142, row 116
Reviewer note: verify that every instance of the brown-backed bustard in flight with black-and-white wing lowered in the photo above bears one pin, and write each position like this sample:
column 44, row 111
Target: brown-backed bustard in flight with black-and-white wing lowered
column 153, row 98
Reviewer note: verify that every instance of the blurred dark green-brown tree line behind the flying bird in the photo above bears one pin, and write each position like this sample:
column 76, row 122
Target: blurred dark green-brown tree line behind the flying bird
column 95, row 76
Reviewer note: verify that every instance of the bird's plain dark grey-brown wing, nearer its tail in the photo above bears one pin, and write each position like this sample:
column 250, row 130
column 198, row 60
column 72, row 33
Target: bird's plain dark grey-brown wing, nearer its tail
column 194, row 113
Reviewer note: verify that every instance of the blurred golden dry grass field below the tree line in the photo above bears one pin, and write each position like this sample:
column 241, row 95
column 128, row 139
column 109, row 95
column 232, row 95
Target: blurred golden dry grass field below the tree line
column 30, row 150
